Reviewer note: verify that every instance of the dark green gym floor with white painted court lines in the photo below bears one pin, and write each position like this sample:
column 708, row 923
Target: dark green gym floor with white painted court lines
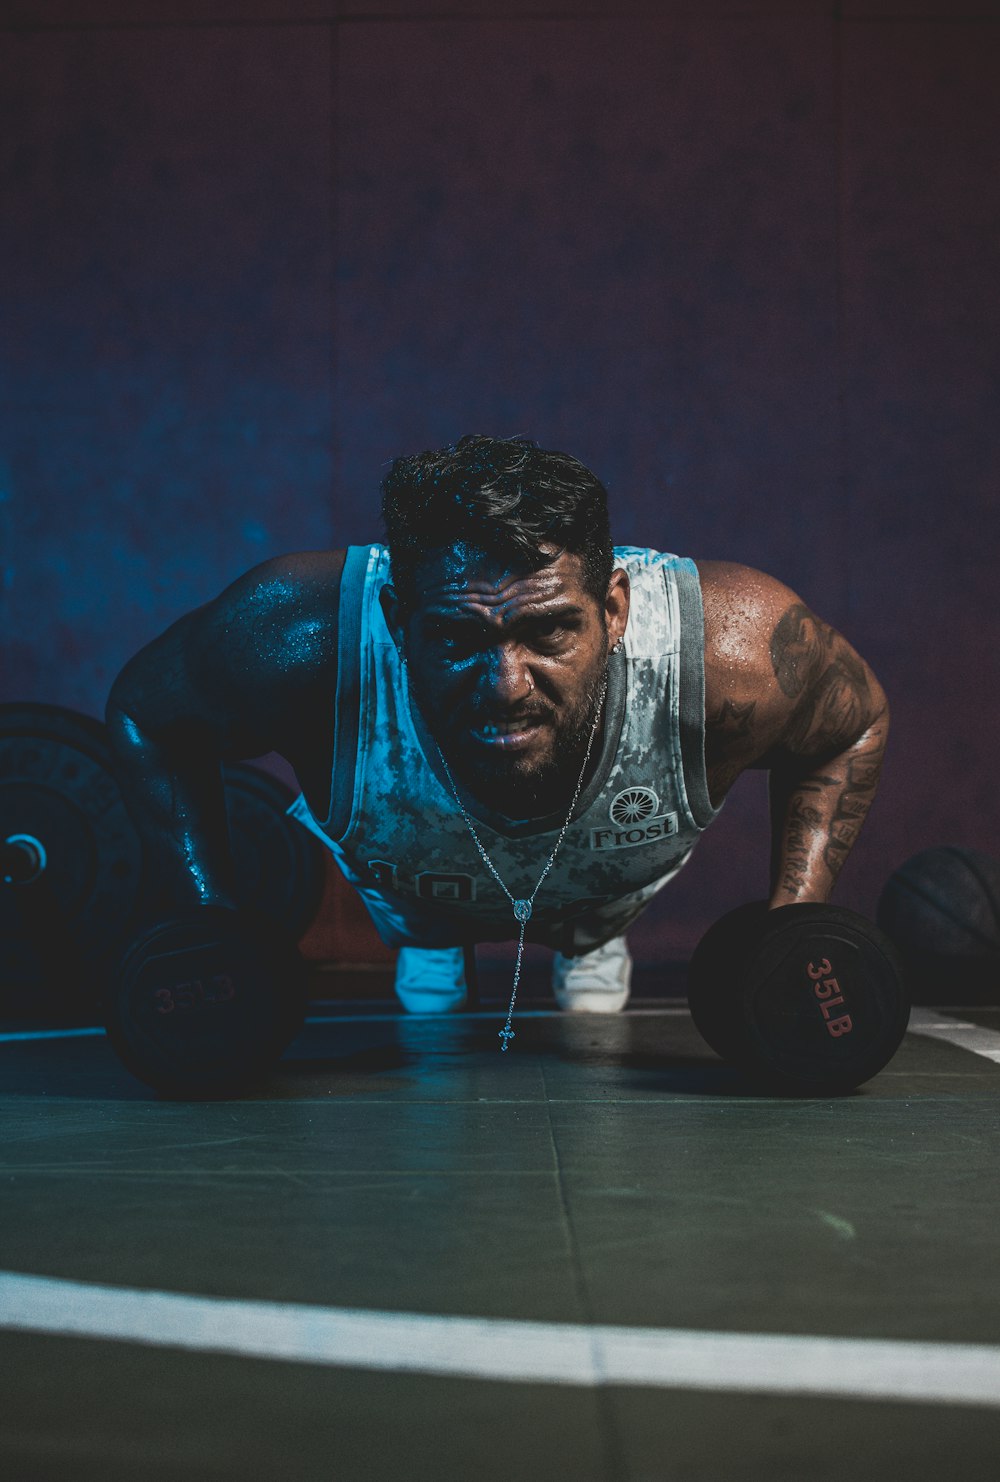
column 414, row 1257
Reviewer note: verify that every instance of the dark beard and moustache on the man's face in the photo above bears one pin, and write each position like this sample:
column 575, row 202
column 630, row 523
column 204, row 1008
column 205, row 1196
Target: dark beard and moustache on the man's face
column 527, row 786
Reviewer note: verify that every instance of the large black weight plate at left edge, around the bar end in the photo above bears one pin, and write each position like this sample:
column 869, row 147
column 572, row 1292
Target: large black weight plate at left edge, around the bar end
column 59, row 789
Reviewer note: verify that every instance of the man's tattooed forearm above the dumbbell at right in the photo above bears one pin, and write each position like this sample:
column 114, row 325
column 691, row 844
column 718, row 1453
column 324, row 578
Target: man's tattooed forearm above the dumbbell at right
column 817, row 816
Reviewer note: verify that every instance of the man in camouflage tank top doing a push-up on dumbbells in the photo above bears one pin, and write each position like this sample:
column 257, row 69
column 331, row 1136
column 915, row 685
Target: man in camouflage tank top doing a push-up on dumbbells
column 503, row 725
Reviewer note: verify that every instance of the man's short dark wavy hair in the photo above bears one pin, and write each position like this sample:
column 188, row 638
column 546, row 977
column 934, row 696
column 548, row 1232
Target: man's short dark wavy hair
column 503, row 496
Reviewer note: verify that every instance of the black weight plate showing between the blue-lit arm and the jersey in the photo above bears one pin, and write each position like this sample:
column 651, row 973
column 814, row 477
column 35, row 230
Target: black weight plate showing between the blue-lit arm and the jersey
column 279, row 865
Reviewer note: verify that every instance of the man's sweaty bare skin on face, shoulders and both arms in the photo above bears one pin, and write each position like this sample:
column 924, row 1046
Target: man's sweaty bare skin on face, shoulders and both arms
column 507, row 669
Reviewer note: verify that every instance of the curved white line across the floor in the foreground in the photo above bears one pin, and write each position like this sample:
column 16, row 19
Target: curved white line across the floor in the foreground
column 516, row 1352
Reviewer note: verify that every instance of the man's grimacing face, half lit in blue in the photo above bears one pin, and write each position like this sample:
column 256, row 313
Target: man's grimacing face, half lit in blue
column 507, row 668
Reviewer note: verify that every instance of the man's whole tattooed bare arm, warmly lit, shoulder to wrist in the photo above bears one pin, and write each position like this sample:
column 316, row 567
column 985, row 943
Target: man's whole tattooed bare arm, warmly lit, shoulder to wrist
column 784, row 691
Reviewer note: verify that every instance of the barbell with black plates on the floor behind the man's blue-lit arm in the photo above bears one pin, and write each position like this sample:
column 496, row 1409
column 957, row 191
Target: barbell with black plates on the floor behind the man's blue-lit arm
column 73, row 883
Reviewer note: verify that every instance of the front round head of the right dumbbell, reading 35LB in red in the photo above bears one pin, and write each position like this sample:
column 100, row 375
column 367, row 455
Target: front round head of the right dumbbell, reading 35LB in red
column 820, row 1031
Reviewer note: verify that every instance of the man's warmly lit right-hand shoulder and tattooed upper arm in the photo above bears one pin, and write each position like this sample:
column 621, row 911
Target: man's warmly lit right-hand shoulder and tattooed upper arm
column 780, row 681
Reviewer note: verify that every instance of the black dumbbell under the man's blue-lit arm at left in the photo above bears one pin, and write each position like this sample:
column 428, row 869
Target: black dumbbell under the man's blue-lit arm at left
column 205, row 1004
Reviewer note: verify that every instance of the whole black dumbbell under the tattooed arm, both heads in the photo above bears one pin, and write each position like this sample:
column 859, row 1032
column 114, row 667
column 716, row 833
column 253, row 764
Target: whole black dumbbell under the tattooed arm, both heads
column 807, row 1000
